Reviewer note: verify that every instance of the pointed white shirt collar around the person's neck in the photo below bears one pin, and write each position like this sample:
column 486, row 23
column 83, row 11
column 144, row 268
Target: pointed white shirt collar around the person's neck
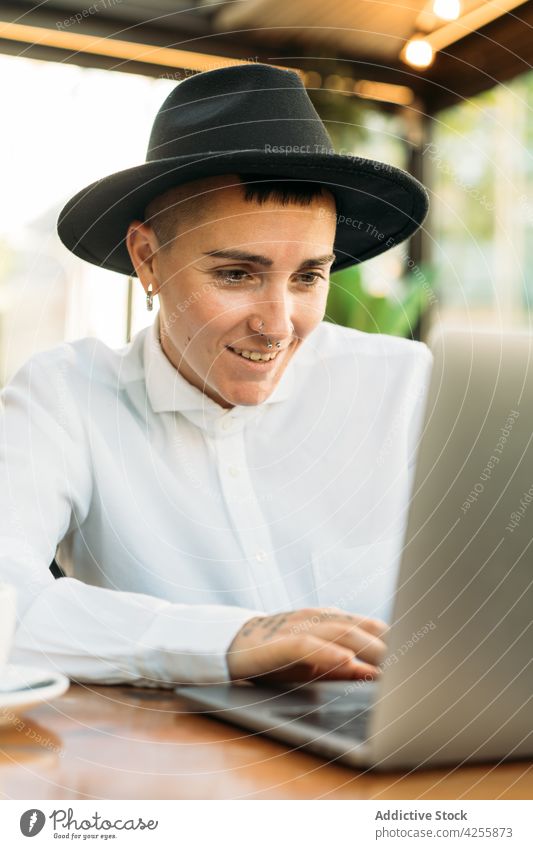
column 168, row 390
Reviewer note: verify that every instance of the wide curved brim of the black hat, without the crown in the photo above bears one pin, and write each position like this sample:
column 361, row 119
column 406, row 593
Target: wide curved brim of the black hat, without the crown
column 378, row 205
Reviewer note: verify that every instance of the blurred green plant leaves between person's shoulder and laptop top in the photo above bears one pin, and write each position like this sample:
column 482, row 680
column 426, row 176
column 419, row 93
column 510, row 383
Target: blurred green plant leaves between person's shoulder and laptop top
column 352, row 304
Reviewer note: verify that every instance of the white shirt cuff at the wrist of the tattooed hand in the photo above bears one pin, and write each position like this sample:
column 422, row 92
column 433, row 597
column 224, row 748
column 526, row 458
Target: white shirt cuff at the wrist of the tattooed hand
column 187, row 644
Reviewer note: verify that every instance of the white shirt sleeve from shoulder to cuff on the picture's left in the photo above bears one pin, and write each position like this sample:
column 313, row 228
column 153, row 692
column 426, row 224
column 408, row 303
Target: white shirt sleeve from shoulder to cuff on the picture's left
column 89, row 633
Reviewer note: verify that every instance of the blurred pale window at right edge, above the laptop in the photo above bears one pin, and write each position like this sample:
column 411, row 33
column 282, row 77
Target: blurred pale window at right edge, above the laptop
column 482, row 206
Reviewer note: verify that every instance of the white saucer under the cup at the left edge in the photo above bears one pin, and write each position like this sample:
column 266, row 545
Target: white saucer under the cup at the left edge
column 23, row 687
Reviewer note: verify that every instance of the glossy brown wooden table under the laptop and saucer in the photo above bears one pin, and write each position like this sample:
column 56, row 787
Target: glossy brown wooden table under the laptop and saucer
column 129, row 743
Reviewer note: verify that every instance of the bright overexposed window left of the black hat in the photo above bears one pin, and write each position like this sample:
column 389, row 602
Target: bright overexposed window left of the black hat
column 63, row 127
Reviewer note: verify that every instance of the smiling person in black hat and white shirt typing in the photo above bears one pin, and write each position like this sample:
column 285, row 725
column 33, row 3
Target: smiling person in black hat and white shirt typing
column 225, row 494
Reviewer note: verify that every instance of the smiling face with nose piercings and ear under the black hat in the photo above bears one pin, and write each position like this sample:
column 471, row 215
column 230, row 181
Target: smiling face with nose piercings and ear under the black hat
column 229, row 264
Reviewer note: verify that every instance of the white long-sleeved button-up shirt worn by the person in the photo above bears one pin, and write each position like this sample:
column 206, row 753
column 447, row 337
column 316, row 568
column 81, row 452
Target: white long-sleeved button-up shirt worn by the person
column 176, row 520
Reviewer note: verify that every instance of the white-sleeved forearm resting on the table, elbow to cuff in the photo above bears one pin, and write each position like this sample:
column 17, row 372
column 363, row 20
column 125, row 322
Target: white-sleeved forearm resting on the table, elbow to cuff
column 99, row 635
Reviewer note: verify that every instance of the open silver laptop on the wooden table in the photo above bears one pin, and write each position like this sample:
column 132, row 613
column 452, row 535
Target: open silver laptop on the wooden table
column 457, row 683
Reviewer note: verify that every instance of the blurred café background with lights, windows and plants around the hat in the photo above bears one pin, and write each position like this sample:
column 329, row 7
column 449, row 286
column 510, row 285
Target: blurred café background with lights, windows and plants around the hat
column 443, row 89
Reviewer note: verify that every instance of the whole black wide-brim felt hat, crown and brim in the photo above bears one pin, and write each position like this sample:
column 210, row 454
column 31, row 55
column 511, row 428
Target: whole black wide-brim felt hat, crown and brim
column 252, row 119
